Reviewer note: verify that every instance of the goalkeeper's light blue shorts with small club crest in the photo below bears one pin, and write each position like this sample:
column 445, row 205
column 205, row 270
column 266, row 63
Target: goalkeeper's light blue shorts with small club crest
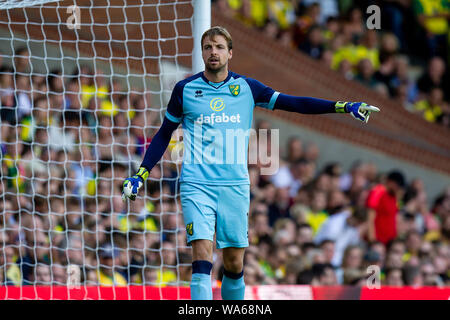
column 209, row 209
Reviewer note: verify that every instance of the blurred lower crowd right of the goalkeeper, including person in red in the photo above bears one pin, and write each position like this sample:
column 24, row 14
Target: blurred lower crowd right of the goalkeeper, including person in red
column 325, row 226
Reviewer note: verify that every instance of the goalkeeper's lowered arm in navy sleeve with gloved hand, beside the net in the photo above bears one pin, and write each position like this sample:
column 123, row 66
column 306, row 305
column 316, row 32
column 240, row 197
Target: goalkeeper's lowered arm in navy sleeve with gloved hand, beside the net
column 154, row 152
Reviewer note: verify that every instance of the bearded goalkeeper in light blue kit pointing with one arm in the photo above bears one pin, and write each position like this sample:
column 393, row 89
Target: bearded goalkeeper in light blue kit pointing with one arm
column 215, row 194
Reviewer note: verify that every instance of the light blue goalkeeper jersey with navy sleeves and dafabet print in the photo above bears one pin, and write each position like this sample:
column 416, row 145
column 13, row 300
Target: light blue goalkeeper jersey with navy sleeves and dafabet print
column 216, row 119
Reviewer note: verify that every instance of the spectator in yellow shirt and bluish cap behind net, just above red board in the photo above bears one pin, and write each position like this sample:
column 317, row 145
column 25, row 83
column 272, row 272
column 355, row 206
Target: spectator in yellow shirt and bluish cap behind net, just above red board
column 106, row 275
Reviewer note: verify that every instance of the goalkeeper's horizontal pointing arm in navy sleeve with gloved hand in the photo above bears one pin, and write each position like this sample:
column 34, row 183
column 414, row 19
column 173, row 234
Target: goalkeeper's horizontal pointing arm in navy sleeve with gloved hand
column 307, row 105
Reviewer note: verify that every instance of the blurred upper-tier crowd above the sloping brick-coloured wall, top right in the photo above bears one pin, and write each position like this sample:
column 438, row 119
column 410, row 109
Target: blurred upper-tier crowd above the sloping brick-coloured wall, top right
column 403, row 53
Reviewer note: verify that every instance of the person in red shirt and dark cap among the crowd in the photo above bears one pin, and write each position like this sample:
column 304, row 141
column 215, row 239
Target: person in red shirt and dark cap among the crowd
column 382, row 204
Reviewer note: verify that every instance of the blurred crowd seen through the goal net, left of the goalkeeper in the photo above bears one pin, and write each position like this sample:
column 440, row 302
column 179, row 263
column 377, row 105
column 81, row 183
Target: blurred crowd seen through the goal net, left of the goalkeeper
column 67, row 143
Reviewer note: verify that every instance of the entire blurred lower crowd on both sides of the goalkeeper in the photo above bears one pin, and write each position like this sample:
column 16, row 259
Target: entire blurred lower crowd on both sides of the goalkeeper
column 69, row 140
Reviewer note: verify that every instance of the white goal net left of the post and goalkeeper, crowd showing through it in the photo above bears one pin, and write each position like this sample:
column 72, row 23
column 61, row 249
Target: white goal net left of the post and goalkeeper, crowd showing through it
column 84, row 86
